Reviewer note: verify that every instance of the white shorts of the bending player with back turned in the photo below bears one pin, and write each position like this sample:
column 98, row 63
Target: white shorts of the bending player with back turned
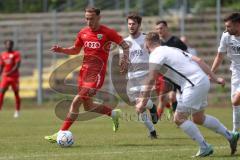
column 194, row 99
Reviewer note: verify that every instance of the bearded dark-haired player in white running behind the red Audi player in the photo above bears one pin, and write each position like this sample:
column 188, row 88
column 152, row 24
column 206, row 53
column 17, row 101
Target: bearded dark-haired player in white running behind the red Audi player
column 137, row 71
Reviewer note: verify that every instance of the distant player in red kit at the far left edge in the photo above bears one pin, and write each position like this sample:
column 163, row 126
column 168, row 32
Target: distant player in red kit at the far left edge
column 9, row 68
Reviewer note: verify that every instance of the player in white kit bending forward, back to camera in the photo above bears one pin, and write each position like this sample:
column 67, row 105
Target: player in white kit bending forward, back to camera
column 191, row 74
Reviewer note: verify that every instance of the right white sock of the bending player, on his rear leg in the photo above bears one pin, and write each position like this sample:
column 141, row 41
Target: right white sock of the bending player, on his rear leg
column 216, row 126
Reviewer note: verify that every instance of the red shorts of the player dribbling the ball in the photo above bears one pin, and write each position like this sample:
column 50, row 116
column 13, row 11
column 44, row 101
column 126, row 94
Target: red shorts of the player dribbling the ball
column 88, row 84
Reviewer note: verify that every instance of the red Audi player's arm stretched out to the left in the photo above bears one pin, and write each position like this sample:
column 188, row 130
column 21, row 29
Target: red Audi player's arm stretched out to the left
column 70, row 51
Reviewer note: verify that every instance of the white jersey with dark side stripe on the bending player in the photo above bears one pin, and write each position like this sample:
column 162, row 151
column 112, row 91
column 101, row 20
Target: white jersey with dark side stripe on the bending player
column 177, row 65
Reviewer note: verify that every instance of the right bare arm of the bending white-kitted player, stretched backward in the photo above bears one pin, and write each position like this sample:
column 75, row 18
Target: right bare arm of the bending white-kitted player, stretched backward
column 207, row 70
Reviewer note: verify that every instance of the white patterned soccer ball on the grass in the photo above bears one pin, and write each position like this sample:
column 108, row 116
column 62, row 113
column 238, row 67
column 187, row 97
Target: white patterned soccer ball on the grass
column 65, row 138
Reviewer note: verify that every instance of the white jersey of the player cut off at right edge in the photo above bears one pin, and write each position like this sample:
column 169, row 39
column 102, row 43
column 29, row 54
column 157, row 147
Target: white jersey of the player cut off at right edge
column 230, row 44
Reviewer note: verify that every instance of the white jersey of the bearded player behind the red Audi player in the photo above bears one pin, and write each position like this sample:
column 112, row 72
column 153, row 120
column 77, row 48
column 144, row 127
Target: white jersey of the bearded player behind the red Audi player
column 138, row 56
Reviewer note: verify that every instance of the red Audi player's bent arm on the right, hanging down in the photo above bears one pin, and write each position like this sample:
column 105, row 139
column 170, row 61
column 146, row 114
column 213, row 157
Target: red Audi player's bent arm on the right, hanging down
column 124, row 59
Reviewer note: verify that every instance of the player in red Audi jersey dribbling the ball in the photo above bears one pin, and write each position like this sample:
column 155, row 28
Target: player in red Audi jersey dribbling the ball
column 95, row 40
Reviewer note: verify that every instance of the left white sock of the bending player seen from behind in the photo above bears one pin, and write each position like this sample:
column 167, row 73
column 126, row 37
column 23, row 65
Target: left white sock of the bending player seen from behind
column 192, row 131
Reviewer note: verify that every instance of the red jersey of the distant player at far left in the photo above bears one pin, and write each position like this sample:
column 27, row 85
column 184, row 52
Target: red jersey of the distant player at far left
column 8, row 60
